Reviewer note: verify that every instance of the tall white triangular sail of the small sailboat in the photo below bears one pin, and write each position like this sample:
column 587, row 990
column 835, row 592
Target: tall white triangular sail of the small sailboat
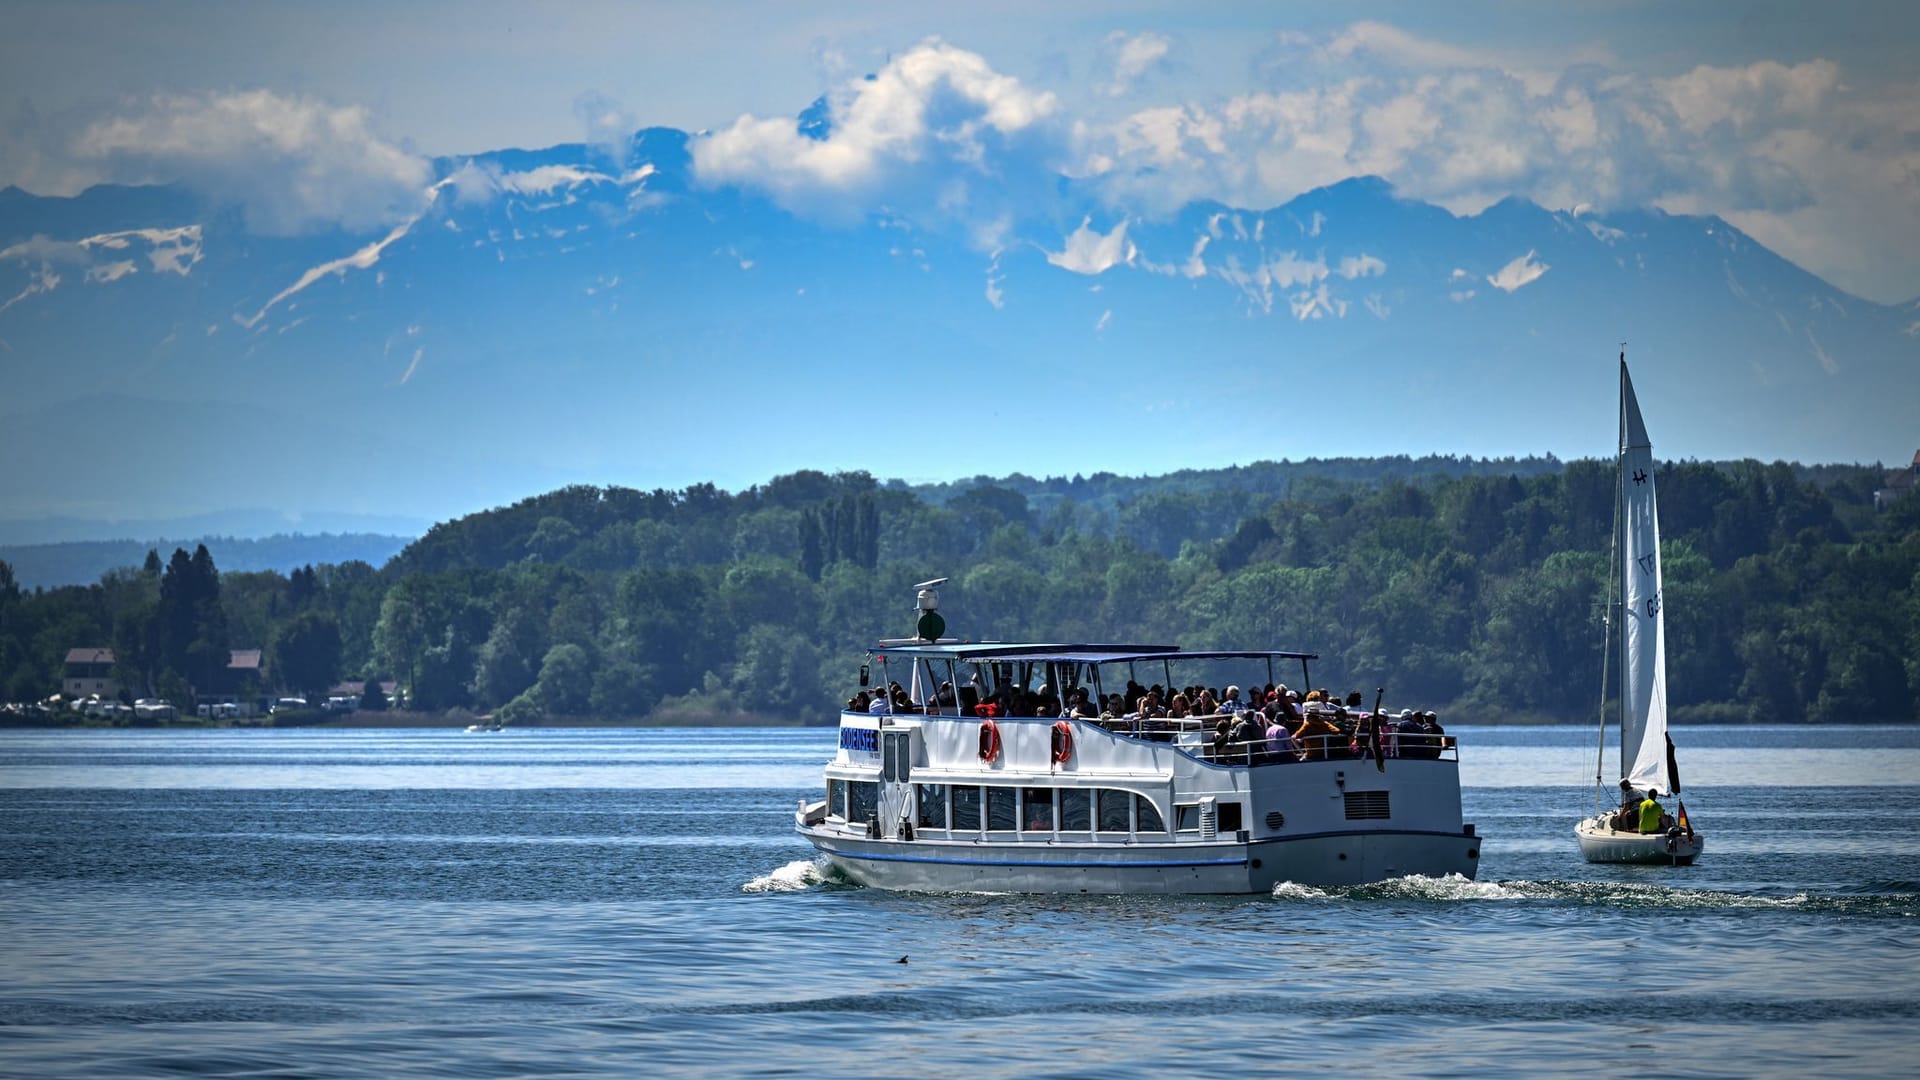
column 1643, row 622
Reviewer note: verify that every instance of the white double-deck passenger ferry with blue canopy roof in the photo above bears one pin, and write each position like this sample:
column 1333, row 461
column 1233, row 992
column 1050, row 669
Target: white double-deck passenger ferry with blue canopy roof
column 963, row 793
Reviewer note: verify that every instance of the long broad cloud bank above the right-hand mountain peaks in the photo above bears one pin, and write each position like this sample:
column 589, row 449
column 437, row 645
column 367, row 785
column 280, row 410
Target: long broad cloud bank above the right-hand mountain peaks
column 1790, row 153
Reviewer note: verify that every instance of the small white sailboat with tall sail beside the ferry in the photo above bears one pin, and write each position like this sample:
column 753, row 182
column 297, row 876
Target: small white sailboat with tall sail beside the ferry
column 1648, row 764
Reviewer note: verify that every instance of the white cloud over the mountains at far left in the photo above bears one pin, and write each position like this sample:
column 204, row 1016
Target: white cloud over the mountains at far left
column 293, row 164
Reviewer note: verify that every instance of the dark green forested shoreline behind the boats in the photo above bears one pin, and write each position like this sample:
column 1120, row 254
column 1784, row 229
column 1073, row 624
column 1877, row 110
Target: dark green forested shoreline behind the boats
column 1470, row 587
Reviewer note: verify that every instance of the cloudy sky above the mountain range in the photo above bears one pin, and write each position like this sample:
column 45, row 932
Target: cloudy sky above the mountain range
column 1796, row 122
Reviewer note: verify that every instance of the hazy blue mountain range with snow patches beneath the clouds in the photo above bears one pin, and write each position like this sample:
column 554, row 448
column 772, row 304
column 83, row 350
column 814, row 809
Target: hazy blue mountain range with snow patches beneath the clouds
column 577, row 314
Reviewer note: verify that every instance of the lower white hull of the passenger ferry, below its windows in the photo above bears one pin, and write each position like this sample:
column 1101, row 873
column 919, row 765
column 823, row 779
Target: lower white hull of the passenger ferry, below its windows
column 1224, row 868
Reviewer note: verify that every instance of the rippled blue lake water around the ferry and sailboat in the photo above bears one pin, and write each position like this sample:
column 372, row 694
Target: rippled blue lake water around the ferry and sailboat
column 635, row 902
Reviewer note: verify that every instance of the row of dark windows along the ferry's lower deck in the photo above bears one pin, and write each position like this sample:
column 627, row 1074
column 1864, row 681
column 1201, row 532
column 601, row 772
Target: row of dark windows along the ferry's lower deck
column 1026, row 810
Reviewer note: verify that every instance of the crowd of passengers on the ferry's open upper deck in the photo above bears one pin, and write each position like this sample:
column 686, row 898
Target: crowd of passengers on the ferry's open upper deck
column 1270, row 725
